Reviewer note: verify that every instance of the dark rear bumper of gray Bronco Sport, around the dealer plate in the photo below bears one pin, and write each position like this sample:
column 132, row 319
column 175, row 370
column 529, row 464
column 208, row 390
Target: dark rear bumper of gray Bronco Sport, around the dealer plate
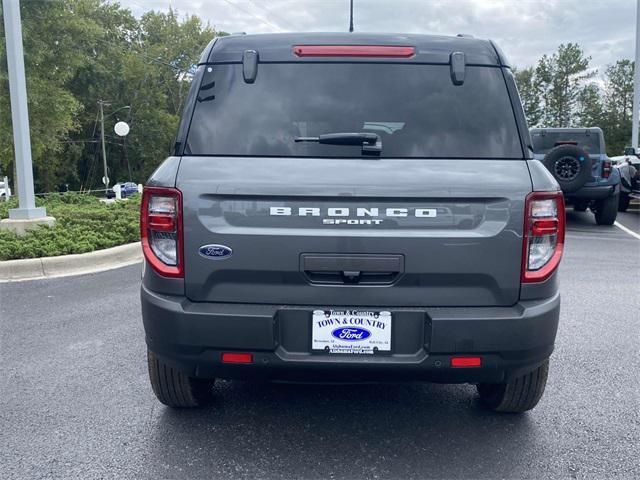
column 192, row 336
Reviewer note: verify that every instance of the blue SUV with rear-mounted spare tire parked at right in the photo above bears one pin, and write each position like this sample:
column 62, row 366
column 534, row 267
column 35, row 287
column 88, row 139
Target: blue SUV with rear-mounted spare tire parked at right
column 577, row 159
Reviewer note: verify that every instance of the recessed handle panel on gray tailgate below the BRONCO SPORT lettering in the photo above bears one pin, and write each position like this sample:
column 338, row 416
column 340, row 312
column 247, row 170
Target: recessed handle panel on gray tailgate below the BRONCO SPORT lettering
column 358, row 269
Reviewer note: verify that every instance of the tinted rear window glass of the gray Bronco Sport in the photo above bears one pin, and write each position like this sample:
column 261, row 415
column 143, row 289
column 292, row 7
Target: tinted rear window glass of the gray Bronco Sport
column 415, row 109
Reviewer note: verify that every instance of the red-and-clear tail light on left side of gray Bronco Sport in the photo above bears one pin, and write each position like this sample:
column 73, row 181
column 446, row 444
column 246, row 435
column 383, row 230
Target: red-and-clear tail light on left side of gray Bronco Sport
column 161, row 230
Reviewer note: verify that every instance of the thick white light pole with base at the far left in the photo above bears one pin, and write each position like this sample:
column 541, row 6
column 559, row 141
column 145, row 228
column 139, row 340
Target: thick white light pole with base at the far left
column 19, row 114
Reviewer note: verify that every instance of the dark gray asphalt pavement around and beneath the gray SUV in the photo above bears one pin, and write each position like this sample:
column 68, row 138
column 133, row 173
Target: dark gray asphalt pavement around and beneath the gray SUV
column 75, row 401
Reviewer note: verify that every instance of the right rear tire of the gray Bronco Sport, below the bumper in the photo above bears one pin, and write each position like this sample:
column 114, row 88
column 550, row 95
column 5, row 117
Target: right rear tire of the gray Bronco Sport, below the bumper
column 518, row 395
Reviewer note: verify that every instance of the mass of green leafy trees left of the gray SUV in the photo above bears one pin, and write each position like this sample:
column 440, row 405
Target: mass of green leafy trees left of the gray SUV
column 79, row 52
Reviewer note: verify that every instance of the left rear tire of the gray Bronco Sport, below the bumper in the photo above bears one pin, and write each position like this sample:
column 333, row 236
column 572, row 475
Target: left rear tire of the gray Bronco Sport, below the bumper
column 174, row 388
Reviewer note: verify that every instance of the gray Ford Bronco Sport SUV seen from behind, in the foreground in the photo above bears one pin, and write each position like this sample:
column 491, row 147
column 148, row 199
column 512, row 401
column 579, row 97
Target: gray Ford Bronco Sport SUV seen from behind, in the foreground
column 352, row 207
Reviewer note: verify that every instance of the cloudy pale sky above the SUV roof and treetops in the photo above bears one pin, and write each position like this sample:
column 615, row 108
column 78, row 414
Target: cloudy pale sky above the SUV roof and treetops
column 524, row 29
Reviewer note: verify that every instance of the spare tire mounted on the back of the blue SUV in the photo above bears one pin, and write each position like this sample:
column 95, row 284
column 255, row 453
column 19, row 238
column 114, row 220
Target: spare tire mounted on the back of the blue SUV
column 570, row 165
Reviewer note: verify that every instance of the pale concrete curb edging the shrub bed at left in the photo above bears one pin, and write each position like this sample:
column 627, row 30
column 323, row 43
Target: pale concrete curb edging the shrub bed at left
column 66, row 265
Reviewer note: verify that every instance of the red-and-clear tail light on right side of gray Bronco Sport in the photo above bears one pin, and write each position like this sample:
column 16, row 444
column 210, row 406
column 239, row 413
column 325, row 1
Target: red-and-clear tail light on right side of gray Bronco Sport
column 543, row 235
